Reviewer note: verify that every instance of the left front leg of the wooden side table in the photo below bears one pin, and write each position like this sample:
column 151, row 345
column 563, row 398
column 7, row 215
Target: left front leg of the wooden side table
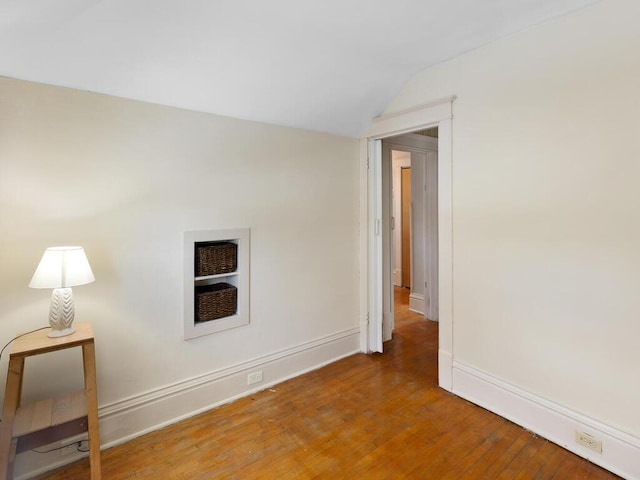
column 11, row 404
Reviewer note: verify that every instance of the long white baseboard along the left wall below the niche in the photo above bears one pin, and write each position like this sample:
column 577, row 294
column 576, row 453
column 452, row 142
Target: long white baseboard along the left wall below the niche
column 134, row 416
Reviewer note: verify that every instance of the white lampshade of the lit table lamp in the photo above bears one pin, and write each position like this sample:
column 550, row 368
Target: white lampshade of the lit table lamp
column 62, row 267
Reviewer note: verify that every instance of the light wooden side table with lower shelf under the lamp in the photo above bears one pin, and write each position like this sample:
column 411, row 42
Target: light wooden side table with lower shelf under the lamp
column 25, row 427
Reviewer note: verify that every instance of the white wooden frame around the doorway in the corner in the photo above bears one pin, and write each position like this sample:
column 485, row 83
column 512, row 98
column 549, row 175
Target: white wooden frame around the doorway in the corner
column 440, row 114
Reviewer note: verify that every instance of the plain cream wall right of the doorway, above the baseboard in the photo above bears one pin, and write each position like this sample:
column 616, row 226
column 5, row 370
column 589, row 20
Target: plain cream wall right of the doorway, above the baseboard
column 546, row 231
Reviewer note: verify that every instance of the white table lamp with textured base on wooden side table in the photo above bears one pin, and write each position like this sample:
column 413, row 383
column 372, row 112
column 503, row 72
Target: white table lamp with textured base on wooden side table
column 62, row 268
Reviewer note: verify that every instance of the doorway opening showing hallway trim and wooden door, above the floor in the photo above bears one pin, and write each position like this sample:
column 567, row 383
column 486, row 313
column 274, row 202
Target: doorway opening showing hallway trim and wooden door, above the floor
column 410, row 254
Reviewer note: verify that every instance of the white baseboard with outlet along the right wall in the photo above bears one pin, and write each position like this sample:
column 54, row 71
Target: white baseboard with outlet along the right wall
column 620, row 450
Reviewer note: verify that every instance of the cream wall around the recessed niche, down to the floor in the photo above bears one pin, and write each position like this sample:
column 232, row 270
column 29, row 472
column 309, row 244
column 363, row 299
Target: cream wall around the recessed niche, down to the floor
column 125, row 180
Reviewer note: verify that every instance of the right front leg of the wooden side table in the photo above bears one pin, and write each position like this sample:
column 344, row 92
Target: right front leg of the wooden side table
column 90, row 386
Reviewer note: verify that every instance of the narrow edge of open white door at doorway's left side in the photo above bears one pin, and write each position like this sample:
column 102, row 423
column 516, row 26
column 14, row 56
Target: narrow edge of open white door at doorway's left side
column 375, row 245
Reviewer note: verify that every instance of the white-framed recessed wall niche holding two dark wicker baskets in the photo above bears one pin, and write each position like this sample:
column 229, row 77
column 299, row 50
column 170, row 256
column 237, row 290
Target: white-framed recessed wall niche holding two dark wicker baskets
column 216, row 281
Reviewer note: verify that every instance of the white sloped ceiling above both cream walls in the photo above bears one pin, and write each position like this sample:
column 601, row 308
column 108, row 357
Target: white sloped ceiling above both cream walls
column 325, row 65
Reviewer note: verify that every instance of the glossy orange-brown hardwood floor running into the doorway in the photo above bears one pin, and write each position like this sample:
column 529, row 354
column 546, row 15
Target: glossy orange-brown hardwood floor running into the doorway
column 364, row 417
